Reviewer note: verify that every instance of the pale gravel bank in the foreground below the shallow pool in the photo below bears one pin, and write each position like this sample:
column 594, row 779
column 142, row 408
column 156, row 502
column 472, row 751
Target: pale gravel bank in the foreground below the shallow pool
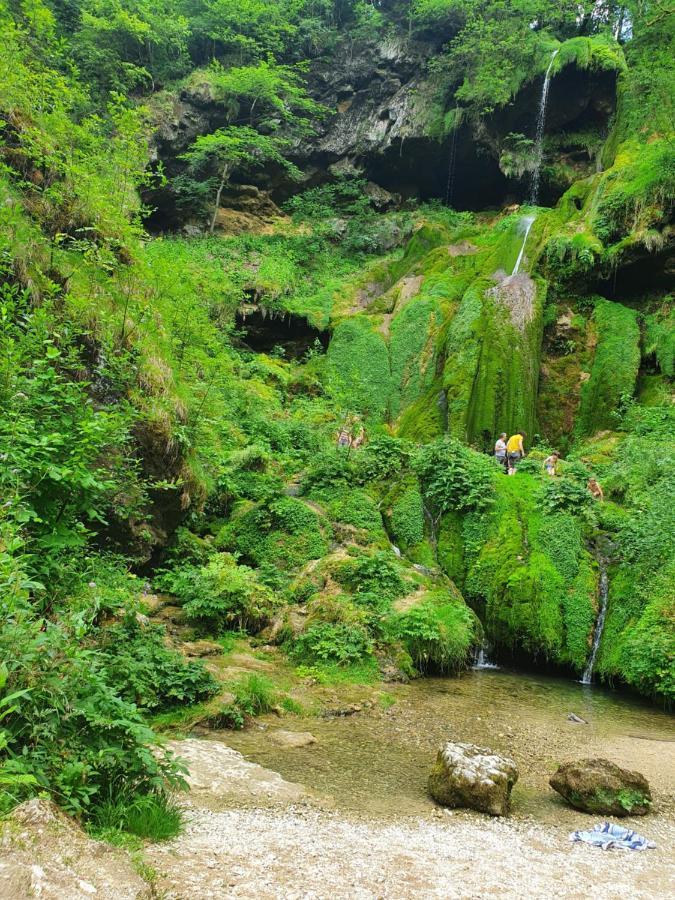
column 283, row 843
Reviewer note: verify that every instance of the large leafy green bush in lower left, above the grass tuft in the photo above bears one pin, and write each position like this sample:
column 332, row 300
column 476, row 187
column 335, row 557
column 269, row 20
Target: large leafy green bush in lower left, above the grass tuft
column 68, row 728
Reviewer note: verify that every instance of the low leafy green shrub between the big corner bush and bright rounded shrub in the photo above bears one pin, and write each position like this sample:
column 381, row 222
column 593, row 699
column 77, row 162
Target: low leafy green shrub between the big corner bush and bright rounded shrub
column 149, row 674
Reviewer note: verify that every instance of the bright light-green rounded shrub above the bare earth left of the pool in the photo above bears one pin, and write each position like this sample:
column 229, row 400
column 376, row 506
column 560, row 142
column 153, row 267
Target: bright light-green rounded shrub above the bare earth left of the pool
column 222, row 595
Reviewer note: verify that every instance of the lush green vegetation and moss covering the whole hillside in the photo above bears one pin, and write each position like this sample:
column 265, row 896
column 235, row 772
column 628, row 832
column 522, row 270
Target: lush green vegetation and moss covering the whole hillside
column 169, row 403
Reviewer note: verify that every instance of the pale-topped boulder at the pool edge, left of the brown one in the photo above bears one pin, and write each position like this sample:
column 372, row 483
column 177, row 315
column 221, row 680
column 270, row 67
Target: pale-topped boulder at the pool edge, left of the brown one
column 470, row 776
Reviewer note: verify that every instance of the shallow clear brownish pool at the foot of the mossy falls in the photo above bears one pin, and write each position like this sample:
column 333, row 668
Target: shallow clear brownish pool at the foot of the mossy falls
column 376, row 760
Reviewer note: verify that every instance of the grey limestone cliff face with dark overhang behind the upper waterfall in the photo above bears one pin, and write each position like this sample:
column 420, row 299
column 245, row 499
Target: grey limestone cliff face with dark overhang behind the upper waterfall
column 381, row 103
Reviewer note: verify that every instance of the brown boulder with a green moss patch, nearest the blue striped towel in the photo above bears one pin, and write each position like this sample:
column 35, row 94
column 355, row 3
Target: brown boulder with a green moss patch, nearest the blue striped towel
column 599, row 786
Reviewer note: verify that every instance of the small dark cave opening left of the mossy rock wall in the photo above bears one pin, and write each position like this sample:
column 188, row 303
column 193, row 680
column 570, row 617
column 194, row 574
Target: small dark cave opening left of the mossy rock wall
column 263, row 331
